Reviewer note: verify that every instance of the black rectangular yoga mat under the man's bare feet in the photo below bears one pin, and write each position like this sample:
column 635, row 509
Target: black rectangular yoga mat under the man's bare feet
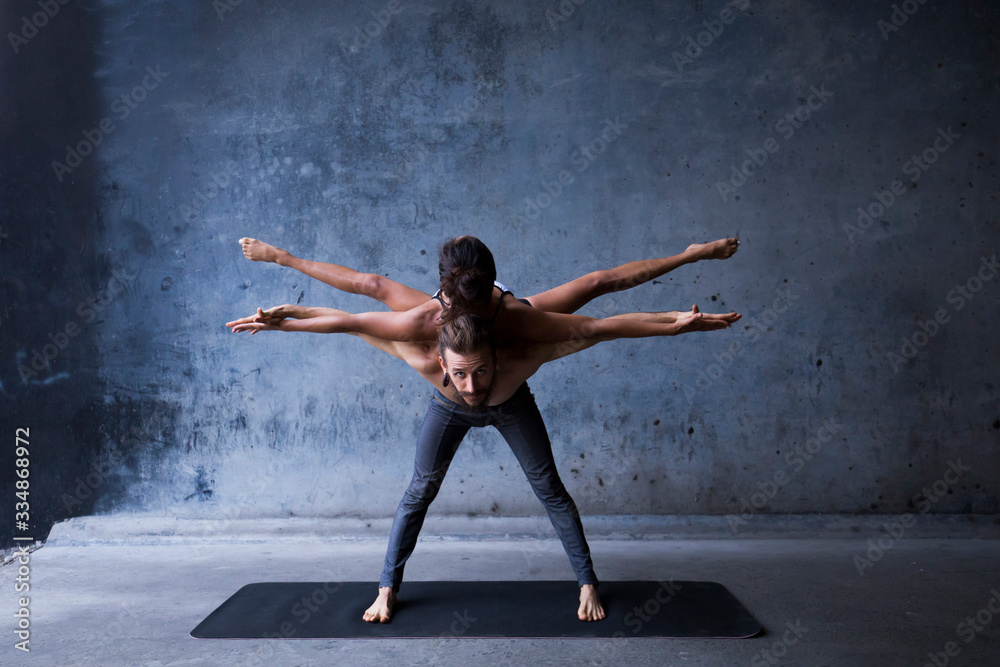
column 313, row 610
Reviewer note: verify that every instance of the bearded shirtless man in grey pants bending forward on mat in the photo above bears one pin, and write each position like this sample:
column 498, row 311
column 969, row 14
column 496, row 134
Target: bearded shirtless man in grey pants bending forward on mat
column 480, row 384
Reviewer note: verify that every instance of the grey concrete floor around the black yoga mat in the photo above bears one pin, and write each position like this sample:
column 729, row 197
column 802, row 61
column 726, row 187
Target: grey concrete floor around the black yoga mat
column 128, row 590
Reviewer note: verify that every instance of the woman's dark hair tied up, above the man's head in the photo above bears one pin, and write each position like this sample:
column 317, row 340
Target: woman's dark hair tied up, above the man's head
column 467, row 272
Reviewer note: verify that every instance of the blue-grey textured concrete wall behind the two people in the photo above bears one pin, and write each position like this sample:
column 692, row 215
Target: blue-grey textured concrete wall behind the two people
column 569, row 138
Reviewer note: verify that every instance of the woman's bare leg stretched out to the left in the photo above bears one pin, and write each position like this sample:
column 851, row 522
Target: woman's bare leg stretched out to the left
column 397, row 296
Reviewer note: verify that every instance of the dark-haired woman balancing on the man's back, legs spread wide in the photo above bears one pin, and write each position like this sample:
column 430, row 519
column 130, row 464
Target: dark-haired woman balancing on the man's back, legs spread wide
column 467, row 275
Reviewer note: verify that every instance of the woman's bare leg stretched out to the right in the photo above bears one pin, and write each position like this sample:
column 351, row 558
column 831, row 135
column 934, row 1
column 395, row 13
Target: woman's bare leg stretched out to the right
column 572, row 296
